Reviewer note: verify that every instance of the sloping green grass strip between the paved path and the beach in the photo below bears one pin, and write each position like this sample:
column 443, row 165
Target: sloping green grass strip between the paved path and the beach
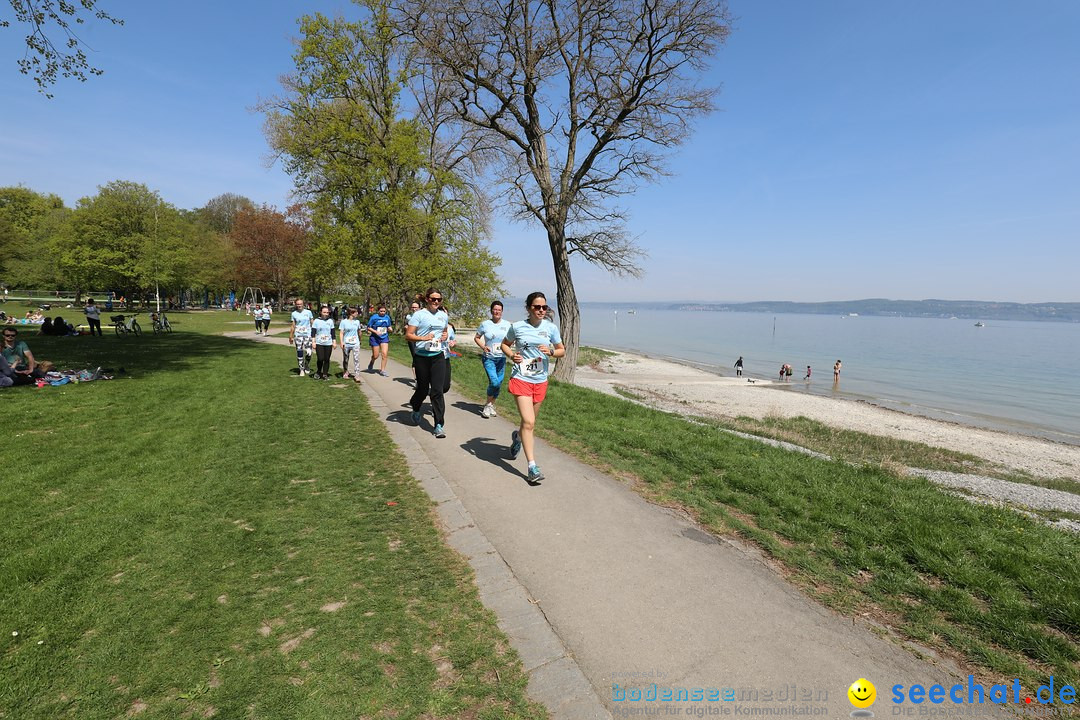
column 981, row 583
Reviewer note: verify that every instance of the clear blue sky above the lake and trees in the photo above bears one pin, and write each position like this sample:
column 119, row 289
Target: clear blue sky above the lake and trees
column 862, row 150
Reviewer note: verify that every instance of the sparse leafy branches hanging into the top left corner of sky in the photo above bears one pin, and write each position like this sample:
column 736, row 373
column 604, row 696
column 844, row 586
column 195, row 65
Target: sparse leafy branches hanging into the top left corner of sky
column 45, row 21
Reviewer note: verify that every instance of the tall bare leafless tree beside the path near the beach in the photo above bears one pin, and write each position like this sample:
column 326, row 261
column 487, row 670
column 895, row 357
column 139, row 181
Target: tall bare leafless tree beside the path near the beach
column 578, row 102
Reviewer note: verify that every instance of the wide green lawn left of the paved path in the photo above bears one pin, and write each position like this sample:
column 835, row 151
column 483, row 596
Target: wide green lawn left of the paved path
column 210, row 535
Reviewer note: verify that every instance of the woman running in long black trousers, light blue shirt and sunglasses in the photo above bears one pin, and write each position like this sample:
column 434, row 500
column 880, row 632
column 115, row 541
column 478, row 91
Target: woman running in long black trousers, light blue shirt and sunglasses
column 428, row 330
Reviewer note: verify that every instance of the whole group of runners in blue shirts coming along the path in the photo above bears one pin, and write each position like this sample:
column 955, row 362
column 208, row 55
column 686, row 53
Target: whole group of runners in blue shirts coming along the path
column 530, row 345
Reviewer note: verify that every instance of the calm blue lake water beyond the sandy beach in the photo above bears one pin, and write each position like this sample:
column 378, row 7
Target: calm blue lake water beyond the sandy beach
column 1009, row 375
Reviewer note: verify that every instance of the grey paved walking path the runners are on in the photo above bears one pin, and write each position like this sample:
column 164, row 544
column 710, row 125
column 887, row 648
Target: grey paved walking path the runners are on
column 598, row 589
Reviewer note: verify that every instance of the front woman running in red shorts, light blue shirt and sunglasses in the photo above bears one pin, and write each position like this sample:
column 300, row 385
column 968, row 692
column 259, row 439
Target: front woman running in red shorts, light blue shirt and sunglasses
column 530, row 344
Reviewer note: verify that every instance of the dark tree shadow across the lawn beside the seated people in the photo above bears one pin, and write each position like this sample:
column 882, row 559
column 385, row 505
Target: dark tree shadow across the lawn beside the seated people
column 141, row 357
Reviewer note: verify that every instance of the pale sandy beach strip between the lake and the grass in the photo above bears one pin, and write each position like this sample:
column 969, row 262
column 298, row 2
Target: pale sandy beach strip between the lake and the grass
column 686, row 390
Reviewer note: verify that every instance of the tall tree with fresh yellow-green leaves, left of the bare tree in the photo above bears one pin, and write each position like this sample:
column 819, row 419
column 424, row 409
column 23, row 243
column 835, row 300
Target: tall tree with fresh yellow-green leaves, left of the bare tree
column 388, row 212
